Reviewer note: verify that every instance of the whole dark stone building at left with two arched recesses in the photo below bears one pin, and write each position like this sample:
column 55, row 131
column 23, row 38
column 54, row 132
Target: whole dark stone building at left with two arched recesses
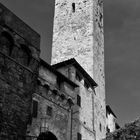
column 19, row 64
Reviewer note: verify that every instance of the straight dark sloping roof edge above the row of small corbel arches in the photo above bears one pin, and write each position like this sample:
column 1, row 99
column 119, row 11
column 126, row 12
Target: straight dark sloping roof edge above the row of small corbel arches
column 45, row 64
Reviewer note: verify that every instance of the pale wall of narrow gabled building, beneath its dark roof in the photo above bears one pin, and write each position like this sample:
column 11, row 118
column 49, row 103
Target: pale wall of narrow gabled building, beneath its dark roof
column 82, row 116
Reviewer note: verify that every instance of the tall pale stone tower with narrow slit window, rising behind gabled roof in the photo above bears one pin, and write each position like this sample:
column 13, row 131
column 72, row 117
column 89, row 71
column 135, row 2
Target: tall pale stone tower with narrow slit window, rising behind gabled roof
column 78, row 33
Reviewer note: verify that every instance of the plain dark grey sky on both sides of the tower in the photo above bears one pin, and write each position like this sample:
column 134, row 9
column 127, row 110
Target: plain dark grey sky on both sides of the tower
column 122, row 48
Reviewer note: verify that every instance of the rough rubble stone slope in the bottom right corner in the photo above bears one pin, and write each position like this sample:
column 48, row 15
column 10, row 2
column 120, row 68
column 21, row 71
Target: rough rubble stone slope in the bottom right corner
column 130, row 131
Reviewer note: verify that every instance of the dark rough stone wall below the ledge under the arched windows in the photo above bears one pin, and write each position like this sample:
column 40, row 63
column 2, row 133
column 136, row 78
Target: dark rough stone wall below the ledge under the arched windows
column 16, row 88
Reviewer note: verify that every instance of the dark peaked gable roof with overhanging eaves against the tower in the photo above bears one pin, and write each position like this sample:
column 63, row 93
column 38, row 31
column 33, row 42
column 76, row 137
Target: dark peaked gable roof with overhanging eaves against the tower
column 73, row 62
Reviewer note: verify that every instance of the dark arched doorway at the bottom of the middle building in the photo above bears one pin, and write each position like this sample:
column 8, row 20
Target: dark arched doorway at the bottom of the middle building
column 46, row 136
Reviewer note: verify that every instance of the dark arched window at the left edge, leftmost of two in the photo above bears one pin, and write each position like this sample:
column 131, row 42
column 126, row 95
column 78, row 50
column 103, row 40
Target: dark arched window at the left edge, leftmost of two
column 6, row 43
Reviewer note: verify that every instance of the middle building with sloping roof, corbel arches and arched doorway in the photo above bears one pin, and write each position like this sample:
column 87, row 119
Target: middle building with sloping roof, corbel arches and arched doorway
column 52, row 102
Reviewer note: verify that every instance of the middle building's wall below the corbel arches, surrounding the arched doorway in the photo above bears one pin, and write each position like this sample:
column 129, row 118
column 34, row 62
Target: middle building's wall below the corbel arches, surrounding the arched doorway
column 57, row 123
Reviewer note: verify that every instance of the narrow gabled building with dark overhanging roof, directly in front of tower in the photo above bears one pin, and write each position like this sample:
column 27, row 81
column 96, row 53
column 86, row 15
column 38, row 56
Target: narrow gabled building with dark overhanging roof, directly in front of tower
column 83, row 108
